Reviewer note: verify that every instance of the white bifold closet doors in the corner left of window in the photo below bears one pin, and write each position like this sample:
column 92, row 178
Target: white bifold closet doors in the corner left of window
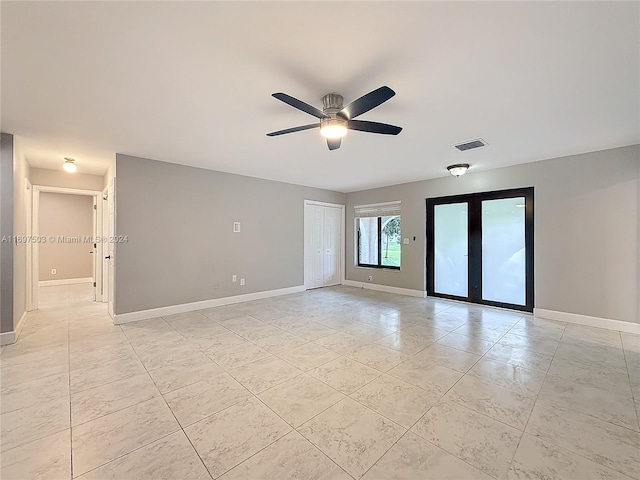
column 323, row 241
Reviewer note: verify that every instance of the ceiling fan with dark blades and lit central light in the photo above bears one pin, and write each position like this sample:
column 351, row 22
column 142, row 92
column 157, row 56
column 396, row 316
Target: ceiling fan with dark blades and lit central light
column 335, row 119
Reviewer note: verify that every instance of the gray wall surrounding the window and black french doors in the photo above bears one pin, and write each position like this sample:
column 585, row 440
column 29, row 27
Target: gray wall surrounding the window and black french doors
column 586, row 229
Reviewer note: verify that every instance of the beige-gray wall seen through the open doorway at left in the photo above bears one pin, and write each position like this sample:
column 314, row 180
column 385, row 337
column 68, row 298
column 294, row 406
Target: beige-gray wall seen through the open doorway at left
column 70, row 216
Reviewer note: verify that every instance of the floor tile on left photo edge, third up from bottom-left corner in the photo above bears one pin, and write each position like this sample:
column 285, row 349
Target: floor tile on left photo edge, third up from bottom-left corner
column 26, row 394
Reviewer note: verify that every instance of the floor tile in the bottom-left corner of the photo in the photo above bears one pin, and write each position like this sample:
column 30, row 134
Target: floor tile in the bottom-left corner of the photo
column 48, row 458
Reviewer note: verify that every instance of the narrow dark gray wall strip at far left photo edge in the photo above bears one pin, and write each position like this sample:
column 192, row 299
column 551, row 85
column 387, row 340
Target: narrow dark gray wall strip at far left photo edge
column 6, row 229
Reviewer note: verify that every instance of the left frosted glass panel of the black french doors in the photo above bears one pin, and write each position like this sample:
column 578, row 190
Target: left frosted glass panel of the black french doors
column 451, row 234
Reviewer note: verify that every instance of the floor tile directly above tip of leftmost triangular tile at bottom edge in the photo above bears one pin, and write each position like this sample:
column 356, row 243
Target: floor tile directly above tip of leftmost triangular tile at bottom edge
column 206, row 397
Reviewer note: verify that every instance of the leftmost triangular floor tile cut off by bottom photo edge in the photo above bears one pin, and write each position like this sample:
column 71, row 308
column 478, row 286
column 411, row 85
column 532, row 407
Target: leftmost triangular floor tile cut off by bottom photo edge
column 171, row 457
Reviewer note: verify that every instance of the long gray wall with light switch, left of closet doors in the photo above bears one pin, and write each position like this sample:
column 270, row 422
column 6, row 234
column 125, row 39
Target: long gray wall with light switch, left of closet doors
column 181, row 247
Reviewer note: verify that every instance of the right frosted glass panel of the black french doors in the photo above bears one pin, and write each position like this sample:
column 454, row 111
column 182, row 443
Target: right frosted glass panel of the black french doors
column 503, row 251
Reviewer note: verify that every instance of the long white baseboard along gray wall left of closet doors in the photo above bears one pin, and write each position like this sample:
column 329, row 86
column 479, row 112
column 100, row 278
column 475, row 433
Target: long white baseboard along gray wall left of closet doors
column 190, row 307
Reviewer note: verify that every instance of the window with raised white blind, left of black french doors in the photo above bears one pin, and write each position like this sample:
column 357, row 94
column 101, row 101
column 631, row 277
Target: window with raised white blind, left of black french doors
column 378, row 235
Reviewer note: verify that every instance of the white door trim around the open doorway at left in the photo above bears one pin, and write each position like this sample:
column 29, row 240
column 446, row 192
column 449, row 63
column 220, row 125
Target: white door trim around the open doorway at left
column 34, row 252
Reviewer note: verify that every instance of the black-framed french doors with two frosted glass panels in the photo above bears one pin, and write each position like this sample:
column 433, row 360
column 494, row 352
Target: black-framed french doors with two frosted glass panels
column 480, row 248
